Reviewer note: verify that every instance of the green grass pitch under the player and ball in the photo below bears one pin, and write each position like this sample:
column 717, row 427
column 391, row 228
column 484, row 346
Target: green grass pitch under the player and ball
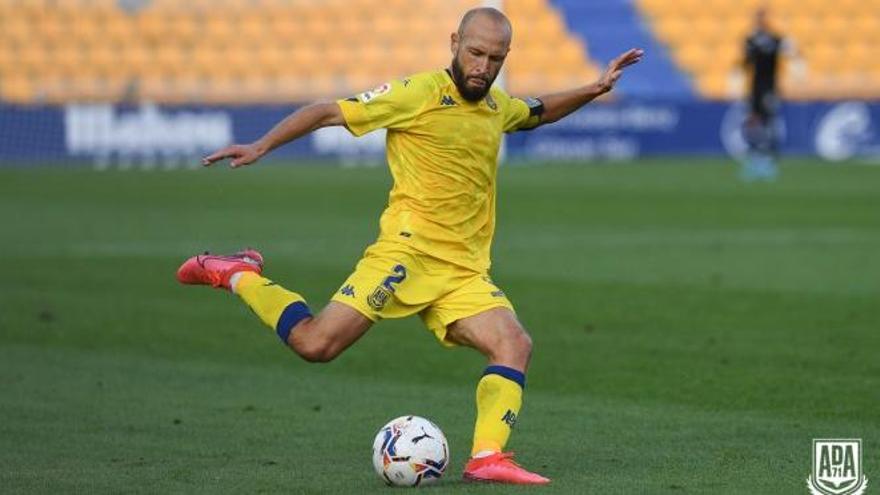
column 692, row 333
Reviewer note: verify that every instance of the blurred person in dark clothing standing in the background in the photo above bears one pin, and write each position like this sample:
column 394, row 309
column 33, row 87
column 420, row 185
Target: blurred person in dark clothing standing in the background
column 763, row 48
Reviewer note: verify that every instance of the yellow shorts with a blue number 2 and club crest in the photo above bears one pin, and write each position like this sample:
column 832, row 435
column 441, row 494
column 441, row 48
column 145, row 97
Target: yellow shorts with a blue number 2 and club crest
column 393, row 281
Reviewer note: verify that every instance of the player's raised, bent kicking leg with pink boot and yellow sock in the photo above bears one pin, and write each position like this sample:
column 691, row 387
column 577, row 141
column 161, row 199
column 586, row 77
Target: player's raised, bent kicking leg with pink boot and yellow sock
column 315, row 338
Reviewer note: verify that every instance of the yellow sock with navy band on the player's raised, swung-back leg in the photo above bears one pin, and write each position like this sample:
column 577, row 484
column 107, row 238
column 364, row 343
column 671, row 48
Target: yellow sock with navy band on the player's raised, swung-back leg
column 276, row 306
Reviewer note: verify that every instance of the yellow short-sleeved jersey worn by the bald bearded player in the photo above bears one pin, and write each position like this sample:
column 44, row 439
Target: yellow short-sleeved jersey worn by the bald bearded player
column 443, row 154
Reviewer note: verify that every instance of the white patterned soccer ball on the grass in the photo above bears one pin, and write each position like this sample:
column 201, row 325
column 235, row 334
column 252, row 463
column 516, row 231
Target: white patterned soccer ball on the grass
column 409, row 451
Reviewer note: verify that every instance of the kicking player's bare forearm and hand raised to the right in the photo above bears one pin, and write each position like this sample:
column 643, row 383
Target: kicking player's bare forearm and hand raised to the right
column 558, row 105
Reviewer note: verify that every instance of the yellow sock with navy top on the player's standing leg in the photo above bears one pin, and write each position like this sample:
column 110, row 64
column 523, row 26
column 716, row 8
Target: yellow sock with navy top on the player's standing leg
column 499, row 398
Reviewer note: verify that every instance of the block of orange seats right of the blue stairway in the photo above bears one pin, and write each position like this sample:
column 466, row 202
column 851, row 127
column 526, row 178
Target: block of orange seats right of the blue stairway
column 706, row 37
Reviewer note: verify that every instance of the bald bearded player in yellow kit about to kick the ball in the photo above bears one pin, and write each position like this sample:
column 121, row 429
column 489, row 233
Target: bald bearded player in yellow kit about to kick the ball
column 432, row 254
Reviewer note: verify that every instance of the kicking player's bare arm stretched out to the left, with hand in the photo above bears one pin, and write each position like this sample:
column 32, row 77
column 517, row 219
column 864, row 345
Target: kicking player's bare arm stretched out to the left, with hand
column 298, row 124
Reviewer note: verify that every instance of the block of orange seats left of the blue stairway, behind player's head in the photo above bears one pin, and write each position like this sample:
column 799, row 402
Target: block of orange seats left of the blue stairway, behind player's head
column 254, row 51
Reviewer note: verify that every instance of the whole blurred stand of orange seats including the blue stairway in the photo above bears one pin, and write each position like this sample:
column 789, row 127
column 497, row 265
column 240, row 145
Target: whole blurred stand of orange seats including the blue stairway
column 271, row 51
